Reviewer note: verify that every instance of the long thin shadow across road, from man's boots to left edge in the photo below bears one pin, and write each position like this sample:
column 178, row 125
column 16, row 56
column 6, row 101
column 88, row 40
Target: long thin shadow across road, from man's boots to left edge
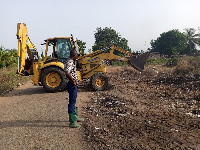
column 33, row 123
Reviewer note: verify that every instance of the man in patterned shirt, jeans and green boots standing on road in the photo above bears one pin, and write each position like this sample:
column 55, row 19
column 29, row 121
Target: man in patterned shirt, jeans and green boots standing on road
column 72, row 88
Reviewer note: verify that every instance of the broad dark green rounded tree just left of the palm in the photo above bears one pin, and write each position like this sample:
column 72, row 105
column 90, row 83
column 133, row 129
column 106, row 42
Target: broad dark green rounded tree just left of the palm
column 169, row 43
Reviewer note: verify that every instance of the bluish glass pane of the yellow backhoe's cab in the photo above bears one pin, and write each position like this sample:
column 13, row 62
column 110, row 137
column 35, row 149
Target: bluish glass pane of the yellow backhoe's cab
column 63, row 49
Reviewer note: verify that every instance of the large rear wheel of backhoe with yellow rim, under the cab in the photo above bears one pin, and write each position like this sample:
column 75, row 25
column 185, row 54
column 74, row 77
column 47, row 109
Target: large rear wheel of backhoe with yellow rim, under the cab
column 53, row 79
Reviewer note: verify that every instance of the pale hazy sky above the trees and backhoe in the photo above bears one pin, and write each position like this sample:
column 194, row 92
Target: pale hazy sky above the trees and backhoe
column 139, row 21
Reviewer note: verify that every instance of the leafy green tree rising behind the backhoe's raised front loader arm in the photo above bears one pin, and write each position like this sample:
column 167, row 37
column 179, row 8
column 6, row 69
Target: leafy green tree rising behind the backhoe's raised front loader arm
column 107, row 36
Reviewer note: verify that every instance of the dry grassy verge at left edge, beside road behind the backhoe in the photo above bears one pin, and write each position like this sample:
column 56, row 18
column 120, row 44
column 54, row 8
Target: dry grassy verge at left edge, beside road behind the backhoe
column 9, row 79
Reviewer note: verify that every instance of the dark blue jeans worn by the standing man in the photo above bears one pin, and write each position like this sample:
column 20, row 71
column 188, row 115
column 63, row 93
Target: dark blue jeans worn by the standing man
column 72, row 90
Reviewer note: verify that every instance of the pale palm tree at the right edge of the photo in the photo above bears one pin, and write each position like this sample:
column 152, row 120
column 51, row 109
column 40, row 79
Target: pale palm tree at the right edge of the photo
column 193, row 39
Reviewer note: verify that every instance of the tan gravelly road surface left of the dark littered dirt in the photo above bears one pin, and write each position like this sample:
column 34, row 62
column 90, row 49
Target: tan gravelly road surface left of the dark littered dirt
column 33, row 119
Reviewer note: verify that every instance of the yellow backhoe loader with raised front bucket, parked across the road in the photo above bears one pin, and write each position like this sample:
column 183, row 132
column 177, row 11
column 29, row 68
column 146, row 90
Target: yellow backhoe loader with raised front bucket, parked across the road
column 50, row 72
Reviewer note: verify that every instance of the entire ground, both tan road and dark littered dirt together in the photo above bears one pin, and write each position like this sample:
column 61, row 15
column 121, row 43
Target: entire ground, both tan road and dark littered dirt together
column 149, row 110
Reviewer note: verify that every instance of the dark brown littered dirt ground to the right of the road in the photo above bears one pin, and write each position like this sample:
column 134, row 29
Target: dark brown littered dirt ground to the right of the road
column 149, row 110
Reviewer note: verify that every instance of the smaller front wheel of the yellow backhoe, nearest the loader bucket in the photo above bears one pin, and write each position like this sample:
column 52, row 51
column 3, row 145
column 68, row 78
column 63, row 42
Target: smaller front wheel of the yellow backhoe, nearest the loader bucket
column 99, row 81
